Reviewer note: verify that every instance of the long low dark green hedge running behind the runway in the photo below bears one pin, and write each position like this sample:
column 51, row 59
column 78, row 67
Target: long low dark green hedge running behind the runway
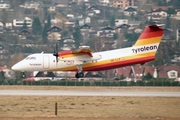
column 159, row 82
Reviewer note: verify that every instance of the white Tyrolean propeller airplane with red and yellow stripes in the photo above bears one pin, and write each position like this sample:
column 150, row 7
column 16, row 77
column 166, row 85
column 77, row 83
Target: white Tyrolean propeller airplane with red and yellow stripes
column 83, row 59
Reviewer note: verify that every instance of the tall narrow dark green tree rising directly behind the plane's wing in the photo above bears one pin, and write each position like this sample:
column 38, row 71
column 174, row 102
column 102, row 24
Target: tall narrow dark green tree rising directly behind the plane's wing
column 77, row 34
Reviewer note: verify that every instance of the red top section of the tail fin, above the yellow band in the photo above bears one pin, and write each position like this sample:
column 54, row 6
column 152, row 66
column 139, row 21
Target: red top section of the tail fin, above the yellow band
column 151, row 31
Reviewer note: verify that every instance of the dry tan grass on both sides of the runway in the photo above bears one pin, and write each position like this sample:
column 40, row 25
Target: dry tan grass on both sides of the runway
column 90, row 108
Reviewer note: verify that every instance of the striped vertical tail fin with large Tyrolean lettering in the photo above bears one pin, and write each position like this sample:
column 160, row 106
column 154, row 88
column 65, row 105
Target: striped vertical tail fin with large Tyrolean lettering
column 149, row 40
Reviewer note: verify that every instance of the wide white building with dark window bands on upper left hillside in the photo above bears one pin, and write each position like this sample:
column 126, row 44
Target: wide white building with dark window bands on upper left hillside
column 21, row 22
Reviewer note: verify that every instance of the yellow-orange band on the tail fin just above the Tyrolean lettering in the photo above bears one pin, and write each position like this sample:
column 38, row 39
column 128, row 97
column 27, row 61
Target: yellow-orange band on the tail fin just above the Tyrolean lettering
column 148, row 41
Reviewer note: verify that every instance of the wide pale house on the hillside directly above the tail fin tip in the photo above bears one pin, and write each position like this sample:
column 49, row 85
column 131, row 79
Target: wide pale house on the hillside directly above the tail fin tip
column 157, row 14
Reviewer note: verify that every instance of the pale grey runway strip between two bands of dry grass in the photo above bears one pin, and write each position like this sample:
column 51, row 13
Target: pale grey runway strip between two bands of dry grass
column 87, row 93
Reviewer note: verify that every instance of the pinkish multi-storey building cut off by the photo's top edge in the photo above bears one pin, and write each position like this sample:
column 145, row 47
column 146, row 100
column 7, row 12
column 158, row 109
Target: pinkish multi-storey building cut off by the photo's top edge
column 123, row 3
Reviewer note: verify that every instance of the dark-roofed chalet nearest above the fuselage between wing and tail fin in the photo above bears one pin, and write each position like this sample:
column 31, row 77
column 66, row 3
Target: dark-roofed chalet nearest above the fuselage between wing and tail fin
column 106, row 32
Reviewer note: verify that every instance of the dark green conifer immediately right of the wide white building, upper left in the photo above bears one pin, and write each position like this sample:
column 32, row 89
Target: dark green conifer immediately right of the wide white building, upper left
column 36, row 26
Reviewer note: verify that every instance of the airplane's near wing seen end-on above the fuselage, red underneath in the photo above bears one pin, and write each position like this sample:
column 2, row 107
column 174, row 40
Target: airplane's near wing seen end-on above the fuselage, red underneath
column 83, row 50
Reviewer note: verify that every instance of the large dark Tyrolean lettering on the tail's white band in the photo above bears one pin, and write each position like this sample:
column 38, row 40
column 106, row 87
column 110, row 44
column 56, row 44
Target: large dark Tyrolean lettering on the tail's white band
column 145, row 48
